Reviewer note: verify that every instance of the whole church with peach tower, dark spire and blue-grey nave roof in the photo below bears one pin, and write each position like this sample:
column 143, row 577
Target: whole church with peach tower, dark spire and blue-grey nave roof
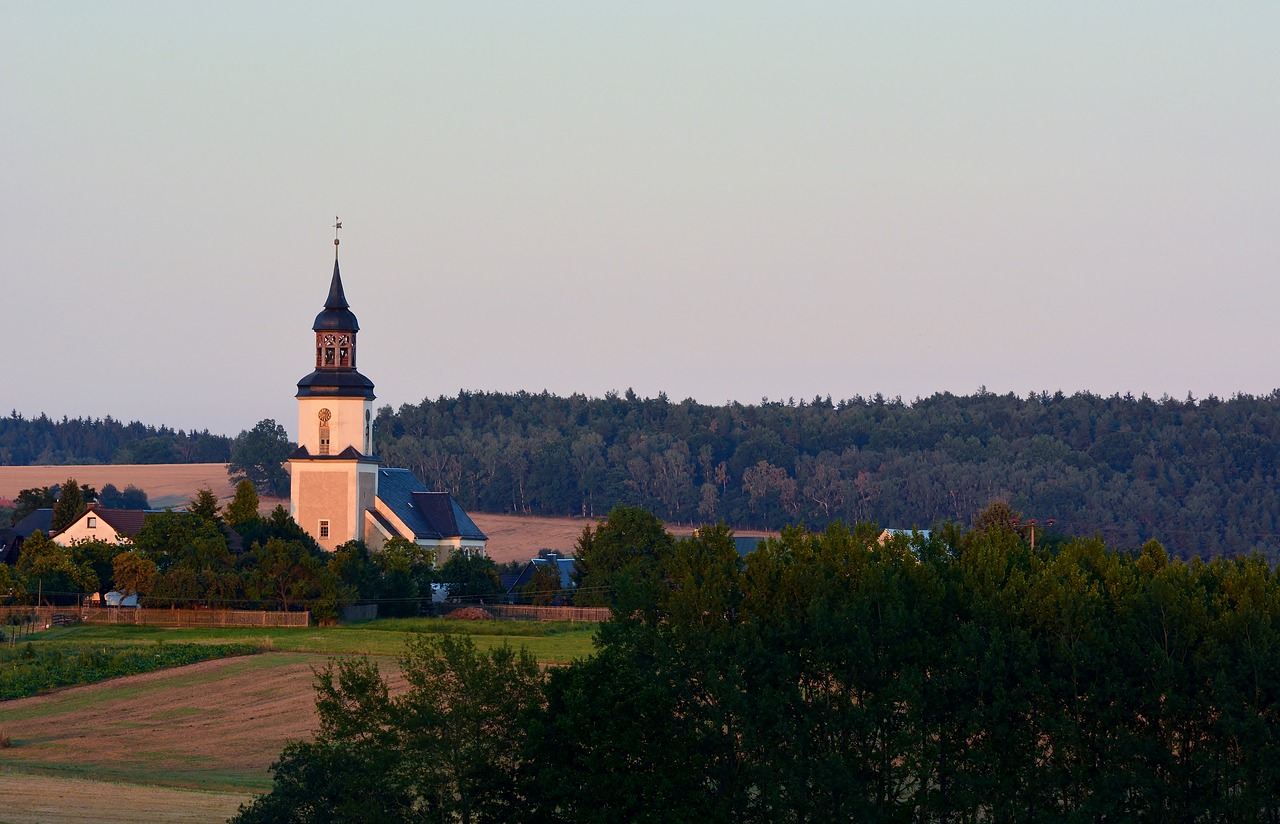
column 339, row 491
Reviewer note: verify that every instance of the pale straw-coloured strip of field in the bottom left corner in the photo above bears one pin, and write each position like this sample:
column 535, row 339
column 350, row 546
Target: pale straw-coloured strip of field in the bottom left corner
column 40, row 799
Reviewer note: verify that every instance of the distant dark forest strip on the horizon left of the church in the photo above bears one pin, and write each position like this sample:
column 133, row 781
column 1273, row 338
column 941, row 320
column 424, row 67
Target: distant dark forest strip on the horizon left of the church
column 43, row 441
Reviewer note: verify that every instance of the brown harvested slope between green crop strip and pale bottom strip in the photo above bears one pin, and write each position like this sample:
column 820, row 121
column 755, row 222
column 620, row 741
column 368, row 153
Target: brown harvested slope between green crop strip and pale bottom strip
column 213, row 726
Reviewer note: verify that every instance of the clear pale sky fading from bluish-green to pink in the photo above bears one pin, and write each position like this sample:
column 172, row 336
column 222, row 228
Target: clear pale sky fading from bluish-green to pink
column 714, row 200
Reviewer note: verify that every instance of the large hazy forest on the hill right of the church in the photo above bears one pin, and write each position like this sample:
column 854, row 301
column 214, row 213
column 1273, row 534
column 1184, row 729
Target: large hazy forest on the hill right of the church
column 1197, row 475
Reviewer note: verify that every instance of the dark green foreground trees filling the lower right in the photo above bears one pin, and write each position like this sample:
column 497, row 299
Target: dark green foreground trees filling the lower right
column 830, row 676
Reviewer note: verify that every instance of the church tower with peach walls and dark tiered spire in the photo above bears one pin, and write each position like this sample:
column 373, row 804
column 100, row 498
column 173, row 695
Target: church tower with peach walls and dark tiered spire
column 333, row 473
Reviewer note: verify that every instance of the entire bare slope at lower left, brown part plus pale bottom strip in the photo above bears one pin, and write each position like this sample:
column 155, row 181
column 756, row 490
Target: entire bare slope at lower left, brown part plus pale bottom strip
column 181, row 745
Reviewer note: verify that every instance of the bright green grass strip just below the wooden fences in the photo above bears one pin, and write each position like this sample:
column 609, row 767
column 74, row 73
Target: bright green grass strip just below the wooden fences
column 551, row 643
